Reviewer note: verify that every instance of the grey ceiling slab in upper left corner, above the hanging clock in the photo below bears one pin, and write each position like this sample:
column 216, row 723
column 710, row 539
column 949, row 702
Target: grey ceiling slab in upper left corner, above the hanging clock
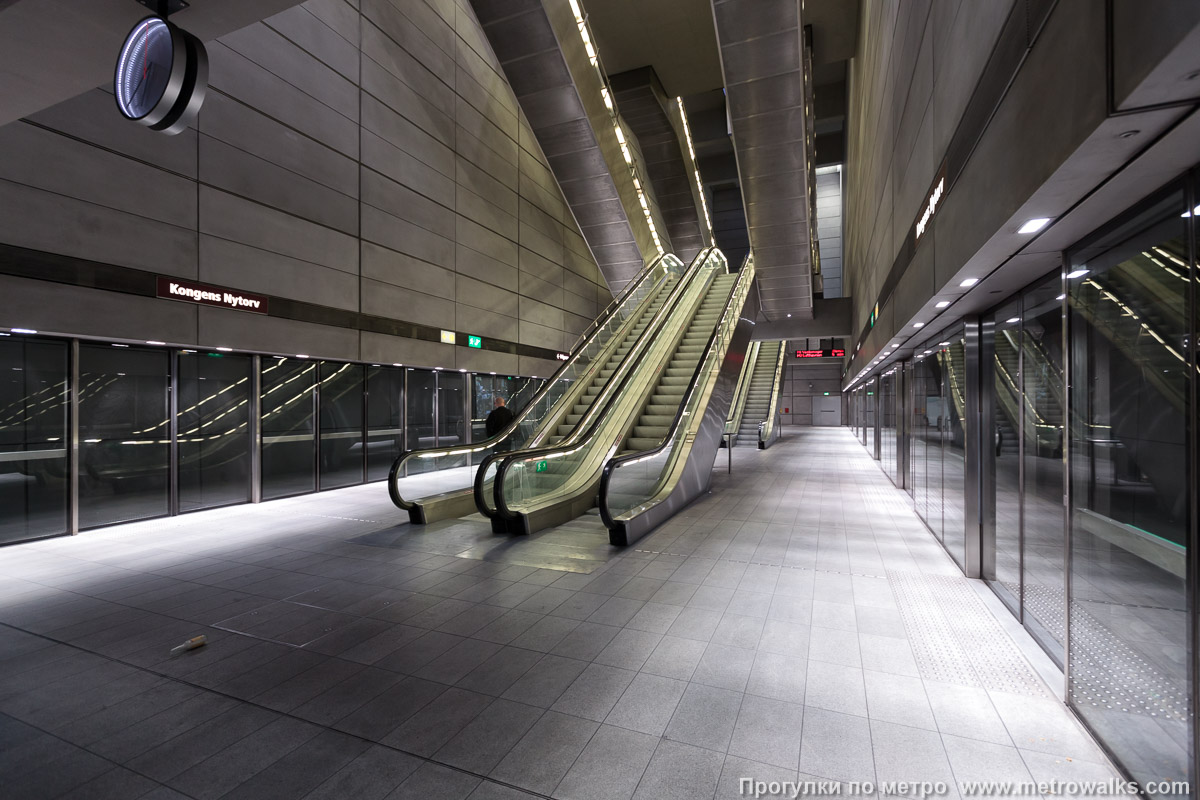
column 52, row 51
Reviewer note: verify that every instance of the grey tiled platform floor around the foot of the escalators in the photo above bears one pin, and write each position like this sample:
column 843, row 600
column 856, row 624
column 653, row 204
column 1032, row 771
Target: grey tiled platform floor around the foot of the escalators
column 797, row 623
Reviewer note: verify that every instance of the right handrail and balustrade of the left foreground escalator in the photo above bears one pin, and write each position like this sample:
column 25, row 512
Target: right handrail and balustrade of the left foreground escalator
column 491, row 477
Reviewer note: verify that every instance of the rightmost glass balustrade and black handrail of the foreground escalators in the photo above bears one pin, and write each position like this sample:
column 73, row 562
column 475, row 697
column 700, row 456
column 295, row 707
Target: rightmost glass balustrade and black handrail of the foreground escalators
column 639, row 491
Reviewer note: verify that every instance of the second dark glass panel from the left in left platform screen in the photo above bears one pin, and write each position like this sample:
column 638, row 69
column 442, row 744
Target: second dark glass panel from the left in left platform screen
column 124, row 435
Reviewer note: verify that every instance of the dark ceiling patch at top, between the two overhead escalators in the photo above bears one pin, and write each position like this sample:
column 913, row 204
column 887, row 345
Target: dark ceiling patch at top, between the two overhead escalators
column 674, row 37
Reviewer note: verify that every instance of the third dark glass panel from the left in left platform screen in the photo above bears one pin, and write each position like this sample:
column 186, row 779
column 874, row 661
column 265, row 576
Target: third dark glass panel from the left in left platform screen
column 214, row 430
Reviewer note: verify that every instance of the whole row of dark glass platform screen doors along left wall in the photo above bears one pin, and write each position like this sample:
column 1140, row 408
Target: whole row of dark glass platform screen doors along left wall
column 146, row 454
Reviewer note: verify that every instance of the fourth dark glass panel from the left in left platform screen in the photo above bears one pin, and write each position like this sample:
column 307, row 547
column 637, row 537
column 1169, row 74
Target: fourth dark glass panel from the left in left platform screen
column 290, row 446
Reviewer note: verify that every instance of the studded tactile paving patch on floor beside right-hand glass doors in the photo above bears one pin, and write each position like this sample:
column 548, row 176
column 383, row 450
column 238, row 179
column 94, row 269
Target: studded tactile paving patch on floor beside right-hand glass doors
column 956, row 639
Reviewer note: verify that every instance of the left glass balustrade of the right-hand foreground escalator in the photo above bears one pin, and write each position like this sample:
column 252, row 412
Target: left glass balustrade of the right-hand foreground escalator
column 550, row 486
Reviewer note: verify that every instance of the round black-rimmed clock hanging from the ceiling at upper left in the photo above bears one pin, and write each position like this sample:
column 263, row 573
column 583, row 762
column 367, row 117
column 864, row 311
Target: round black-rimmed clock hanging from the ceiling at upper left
column 163, row 74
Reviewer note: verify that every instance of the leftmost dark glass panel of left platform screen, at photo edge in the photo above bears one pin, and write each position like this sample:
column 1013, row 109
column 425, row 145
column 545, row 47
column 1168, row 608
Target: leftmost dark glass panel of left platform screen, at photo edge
column 33, row 440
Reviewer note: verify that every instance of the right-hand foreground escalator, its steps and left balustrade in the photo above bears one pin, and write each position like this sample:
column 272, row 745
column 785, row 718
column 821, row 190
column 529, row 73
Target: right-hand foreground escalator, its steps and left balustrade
column 638, row 412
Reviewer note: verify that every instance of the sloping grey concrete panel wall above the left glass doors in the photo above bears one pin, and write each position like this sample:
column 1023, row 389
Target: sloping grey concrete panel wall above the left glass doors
column 359, row 155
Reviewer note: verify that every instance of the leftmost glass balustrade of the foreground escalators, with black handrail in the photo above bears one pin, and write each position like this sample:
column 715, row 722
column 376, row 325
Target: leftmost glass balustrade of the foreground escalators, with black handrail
column 437, row 483
